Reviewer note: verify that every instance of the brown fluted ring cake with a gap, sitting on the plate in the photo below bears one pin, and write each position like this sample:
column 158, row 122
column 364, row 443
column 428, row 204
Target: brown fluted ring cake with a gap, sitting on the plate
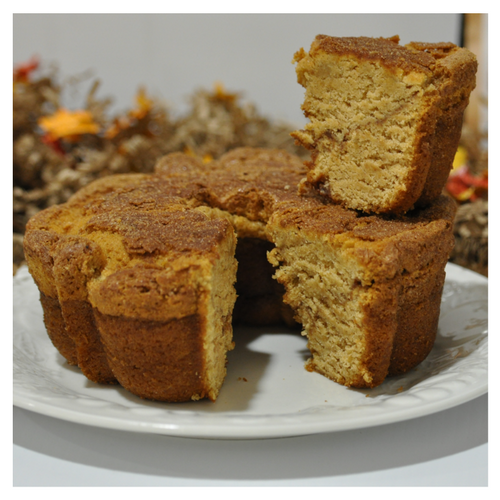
column 136, row 274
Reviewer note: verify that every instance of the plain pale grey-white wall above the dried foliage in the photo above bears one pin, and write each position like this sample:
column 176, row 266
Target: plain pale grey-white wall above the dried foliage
column 174, row 54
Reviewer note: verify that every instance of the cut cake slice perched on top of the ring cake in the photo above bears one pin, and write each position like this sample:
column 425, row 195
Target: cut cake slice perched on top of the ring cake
column 384, row 119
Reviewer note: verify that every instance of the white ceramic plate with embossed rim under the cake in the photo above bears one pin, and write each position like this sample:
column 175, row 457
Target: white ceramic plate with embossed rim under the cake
column 267, row 392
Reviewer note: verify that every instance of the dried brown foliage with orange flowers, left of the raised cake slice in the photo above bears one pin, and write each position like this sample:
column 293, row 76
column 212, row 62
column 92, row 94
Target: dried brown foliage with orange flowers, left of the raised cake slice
column 58, row 150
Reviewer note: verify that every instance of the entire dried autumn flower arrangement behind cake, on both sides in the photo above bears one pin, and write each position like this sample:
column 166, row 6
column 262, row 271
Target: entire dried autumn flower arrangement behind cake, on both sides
column 57, row 151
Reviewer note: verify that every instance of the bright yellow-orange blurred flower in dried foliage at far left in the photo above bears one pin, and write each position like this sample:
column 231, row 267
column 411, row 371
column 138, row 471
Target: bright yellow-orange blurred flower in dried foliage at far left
column 68, row 124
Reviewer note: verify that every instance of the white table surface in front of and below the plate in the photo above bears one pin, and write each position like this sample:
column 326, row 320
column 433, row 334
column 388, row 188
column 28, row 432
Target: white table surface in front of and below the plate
column 448, row 448
